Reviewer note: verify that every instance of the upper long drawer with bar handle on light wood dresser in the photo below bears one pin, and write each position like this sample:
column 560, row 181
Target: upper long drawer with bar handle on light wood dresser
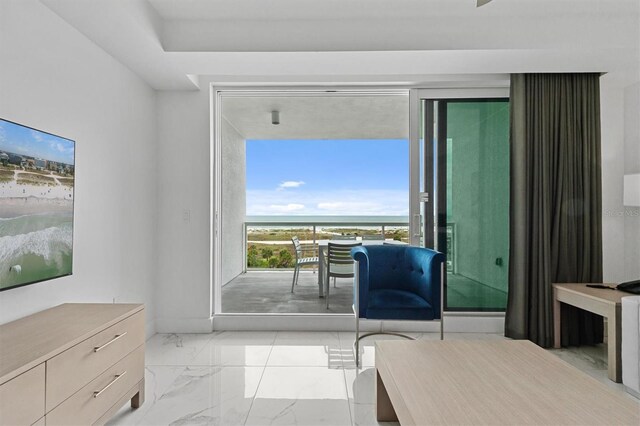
column 77, row 366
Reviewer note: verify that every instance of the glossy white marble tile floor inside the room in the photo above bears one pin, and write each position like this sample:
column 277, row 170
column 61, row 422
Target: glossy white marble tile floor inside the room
column 278, row 378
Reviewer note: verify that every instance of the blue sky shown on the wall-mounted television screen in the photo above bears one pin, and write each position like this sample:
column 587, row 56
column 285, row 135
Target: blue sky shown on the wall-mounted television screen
column 22, row 140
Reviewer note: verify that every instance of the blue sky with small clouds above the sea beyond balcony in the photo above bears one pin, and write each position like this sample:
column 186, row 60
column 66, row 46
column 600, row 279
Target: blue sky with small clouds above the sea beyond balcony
column 332, row 177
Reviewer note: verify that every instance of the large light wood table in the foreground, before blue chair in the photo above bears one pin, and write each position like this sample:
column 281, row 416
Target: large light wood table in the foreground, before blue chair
column 462, row 382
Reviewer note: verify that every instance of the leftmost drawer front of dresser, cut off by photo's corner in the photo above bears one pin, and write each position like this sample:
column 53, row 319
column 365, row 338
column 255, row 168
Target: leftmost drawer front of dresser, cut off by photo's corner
column 22, row 398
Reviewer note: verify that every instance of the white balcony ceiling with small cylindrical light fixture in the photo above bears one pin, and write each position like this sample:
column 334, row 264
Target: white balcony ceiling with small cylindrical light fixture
column 319, row 117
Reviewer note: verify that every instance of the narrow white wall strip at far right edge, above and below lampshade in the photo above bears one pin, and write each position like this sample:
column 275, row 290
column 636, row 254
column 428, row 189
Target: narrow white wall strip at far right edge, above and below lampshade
column 632, row 166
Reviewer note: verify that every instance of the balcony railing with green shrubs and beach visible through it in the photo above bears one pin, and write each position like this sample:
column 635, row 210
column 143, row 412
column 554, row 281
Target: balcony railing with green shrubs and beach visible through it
column 268, row 238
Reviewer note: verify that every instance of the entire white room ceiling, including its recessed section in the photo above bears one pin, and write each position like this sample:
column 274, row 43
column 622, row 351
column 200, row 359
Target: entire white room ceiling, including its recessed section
column 174, row 44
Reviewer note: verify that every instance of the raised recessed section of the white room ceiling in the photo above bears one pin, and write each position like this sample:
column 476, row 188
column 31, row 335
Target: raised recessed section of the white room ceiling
column 385, row 25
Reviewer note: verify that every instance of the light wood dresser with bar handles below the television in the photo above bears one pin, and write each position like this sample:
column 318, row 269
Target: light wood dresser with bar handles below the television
column 72, row 364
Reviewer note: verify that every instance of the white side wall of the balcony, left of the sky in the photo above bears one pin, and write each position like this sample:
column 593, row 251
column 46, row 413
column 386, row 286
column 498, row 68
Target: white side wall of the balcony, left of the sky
column 234, row 205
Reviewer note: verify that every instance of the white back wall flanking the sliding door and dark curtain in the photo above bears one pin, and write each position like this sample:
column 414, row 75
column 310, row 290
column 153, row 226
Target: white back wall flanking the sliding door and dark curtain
column 184, row 291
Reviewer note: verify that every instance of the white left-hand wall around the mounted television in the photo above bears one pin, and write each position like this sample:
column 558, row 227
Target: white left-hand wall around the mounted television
column 53, row 78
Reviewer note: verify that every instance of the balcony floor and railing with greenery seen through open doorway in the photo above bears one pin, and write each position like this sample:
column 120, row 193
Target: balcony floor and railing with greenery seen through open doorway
column 264, row 286
